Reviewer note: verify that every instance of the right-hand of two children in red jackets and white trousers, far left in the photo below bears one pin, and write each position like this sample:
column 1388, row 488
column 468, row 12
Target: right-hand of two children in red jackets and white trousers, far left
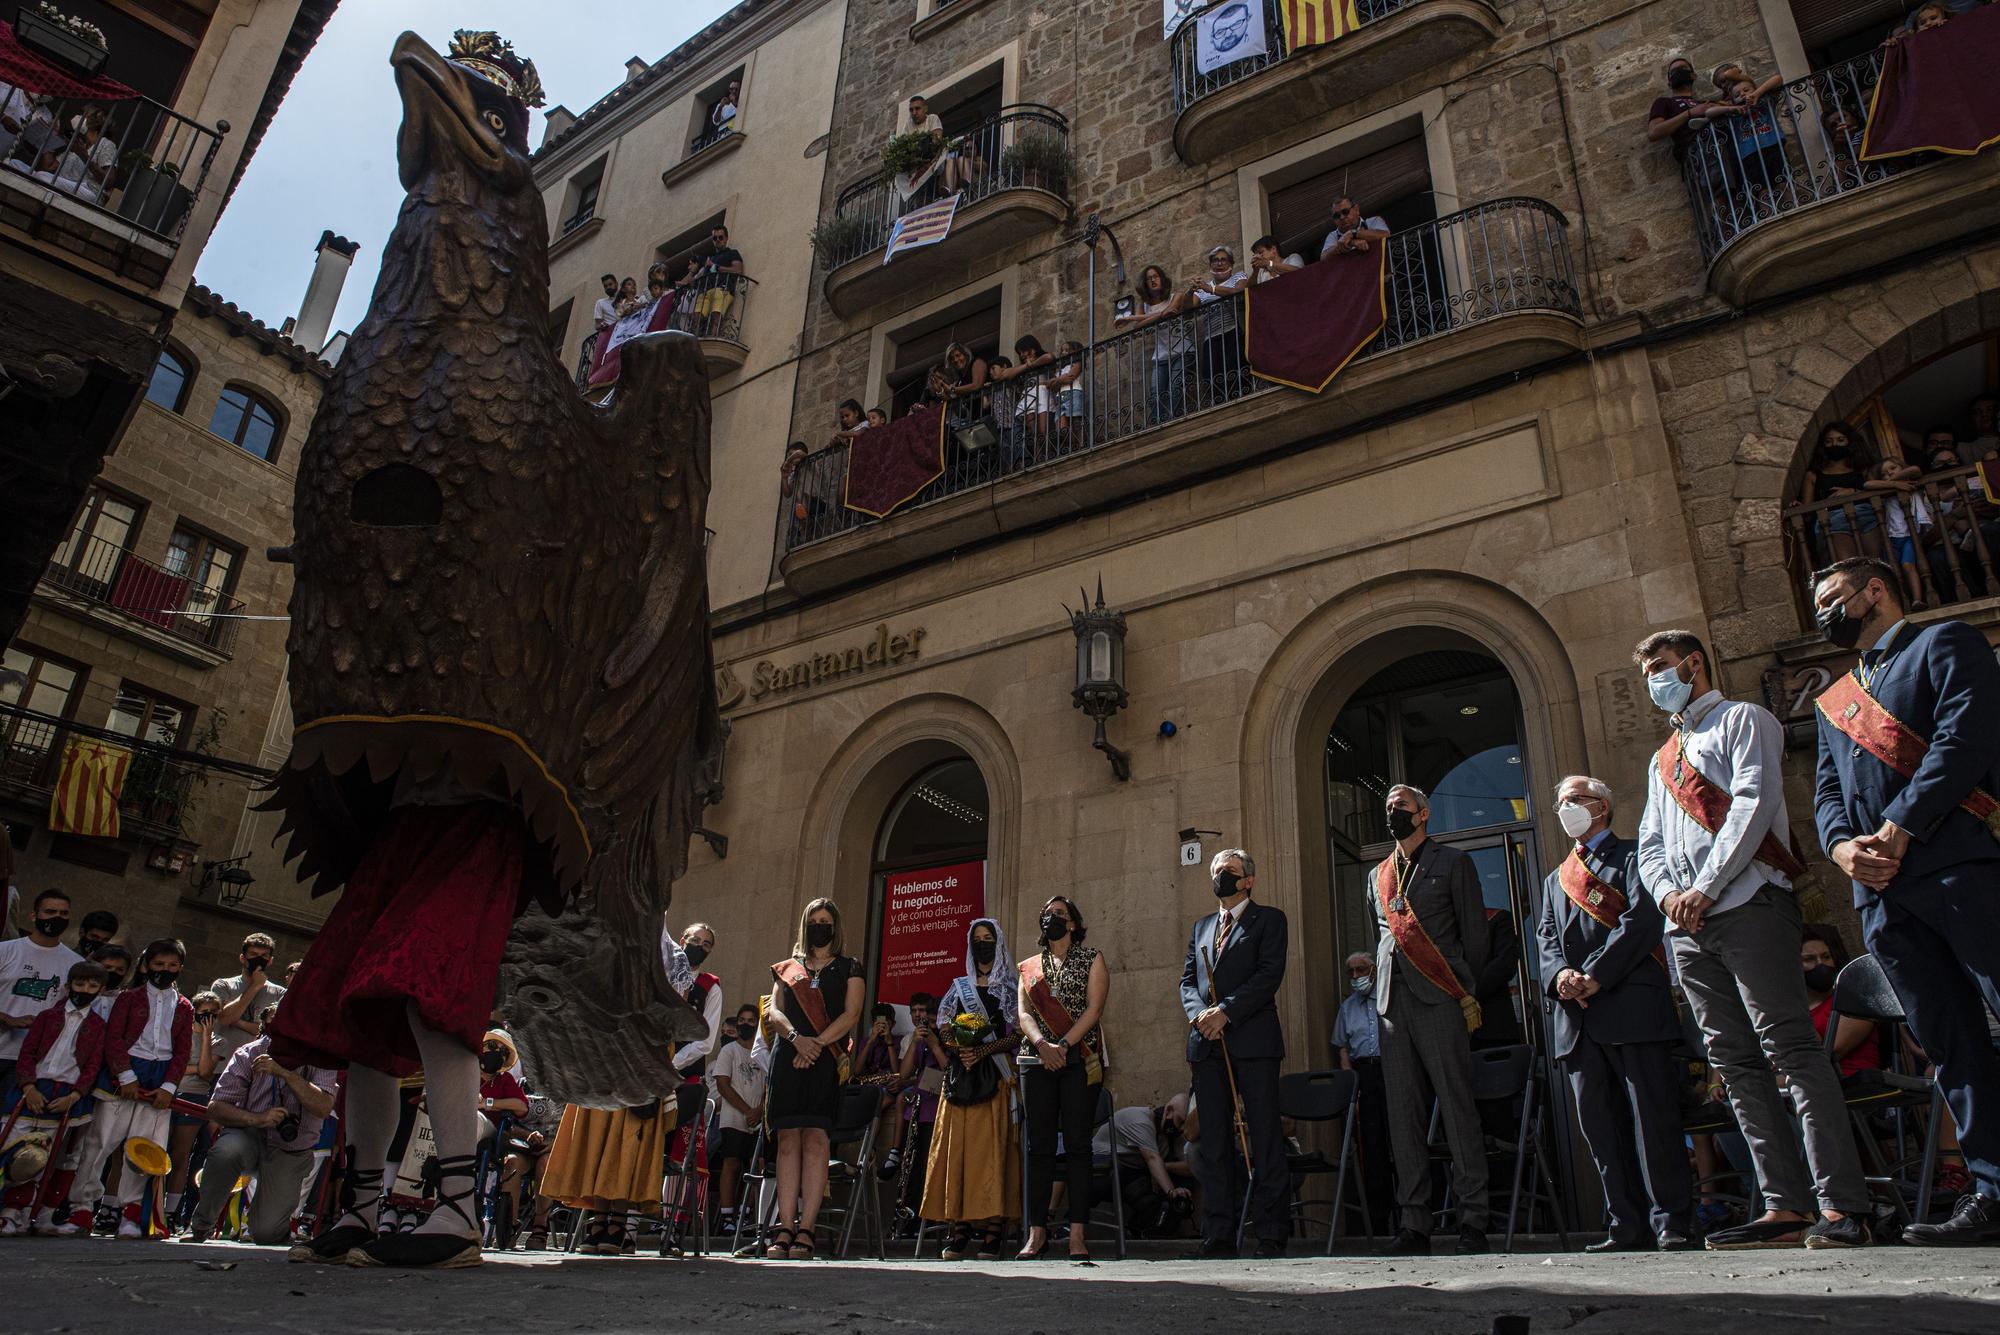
column 147, row 1046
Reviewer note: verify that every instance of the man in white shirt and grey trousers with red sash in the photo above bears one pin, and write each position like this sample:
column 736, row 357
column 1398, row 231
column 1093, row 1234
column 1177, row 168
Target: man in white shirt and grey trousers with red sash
column 1713, row 850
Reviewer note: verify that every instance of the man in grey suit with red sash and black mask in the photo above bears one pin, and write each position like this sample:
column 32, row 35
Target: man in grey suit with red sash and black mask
column 1429, row 958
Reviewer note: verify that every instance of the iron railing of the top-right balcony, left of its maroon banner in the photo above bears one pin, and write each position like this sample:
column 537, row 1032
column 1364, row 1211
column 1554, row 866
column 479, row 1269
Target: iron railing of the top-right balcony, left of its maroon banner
column 1797, row 147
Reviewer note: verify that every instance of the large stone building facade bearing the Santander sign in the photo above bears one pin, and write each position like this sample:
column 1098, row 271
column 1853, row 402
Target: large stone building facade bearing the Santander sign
column 1591, row 417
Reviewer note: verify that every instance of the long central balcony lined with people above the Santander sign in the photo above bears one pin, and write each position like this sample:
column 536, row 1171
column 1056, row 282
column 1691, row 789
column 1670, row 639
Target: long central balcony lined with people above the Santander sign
column 1037, row 433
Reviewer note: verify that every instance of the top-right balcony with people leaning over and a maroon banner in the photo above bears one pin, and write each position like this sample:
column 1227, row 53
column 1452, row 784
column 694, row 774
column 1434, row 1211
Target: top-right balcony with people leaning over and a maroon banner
column 1797, row 183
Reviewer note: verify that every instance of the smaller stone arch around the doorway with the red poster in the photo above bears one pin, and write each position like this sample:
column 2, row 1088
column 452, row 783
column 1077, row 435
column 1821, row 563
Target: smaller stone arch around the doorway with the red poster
column 875, row 762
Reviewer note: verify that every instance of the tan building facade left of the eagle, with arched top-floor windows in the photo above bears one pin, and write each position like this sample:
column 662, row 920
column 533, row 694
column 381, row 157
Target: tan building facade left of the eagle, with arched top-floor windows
column 163, row 623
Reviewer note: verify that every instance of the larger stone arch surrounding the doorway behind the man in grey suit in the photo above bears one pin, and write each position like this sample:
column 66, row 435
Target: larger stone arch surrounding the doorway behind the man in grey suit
column 1293, row 706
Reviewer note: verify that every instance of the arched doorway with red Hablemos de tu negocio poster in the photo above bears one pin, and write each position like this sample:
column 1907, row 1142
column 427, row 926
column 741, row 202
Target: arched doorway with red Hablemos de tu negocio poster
column 927, row 880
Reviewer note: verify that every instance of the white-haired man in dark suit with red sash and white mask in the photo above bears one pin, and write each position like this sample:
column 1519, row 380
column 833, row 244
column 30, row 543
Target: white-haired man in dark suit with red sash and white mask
column 1613, row 1024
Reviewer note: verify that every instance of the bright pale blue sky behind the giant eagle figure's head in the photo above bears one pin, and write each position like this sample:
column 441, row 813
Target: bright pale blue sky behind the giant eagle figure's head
column 329, row 159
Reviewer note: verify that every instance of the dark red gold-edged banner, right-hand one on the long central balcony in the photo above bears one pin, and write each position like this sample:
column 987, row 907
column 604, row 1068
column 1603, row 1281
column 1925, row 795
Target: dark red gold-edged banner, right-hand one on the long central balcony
column 1303, row 329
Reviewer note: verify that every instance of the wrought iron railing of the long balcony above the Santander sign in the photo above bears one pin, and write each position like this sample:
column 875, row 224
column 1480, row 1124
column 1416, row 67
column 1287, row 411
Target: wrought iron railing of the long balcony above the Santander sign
column 1479, row 265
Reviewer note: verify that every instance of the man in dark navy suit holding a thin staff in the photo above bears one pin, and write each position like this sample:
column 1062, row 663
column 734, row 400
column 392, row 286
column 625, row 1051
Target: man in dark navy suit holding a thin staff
column 1237, row 1010
